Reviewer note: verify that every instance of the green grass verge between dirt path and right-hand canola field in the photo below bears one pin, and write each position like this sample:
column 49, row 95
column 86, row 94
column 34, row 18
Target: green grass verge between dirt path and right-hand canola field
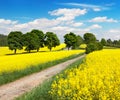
column 41, row 92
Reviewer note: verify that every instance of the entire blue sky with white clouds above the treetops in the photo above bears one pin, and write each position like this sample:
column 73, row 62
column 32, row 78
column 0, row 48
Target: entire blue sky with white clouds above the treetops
column 101, row 17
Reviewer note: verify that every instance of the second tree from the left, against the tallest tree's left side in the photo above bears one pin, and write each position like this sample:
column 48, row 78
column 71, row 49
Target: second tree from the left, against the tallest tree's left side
column 31, row 41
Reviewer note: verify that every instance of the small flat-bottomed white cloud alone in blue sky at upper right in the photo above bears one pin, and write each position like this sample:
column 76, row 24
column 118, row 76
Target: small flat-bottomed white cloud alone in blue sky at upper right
column 103, row 19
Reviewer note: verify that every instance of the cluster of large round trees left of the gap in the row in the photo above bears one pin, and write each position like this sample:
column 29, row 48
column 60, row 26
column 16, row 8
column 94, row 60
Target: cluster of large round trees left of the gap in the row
column 33, row 40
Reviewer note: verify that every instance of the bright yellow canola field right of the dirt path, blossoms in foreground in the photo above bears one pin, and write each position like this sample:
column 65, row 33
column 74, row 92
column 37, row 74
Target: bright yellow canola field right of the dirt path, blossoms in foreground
column 97, row 78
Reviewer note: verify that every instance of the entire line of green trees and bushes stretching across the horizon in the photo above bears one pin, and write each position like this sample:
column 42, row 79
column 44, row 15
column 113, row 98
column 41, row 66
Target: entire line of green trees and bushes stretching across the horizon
column 36, row 39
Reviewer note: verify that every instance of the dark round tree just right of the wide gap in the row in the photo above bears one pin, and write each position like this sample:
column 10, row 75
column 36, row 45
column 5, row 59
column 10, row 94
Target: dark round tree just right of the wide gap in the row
column 70, row 40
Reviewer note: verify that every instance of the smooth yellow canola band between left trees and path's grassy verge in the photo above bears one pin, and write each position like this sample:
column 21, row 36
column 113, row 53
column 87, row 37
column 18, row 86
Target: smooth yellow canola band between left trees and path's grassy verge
column 11, row 63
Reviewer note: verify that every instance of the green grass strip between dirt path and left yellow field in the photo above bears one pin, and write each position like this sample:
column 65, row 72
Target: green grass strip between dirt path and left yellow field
column 7, row 77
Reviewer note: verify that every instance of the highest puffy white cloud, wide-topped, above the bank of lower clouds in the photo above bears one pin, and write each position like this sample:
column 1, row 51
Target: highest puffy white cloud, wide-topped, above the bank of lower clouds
column 67, row 14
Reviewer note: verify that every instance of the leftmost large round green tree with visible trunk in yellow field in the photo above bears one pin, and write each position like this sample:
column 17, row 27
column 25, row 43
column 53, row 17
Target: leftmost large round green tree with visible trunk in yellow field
column 15, row 41
